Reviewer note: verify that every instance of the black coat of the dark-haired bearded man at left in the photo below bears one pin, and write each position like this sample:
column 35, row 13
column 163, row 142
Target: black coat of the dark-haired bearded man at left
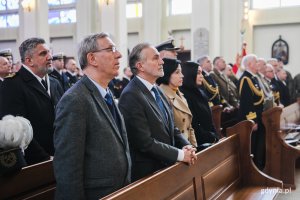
column 23, row 95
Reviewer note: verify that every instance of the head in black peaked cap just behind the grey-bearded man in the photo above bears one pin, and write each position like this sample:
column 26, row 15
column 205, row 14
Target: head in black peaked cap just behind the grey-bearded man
column 167, row 49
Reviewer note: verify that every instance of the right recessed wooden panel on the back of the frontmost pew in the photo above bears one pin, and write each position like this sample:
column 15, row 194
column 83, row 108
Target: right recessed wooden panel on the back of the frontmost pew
column 226, row 172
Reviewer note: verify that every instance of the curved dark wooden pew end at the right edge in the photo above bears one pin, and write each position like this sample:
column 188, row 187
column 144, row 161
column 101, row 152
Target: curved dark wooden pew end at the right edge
column 280, row 156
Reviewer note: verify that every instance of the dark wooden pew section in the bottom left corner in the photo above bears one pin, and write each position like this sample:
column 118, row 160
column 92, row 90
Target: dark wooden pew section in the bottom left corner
column 33, row 182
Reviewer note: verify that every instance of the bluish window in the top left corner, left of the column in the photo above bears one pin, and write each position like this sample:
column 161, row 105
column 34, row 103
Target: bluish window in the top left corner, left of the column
column 9, row 16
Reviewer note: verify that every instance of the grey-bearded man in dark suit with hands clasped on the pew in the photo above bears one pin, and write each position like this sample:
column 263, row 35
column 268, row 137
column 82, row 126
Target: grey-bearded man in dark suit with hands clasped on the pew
column 154, row 141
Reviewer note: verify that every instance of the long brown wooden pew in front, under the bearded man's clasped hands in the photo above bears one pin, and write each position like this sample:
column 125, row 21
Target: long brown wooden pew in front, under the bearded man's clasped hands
column 222, row 171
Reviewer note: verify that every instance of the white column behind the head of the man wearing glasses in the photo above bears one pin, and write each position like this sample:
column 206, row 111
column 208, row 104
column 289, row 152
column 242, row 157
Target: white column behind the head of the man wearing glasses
column 112, row 19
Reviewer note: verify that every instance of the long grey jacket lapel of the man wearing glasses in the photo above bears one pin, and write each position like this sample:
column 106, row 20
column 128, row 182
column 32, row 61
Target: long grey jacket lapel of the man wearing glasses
column 102, row 105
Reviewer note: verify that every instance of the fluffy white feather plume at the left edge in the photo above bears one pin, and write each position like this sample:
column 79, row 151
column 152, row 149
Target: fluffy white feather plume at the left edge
column 15, row 132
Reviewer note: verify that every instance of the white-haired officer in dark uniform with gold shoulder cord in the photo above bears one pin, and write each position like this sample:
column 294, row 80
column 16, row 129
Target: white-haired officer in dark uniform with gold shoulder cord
column 251, row 107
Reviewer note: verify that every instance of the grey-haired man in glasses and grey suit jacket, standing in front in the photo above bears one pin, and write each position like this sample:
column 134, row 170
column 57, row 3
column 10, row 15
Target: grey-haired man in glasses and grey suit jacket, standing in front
column 91, row 149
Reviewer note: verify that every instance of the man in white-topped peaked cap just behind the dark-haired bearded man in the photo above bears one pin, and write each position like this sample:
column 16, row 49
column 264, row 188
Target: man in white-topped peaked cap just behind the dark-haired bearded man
column 57, row 73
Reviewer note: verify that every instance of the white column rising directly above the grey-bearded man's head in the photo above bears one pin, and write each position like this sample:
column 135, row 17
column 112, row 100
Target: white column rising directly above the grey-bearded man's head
column 152, row 21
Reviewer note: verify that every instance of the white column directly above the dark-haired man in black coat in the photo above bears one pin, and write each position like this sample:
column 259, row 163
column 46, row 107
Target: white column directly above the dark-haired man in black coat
column 34, row 22
